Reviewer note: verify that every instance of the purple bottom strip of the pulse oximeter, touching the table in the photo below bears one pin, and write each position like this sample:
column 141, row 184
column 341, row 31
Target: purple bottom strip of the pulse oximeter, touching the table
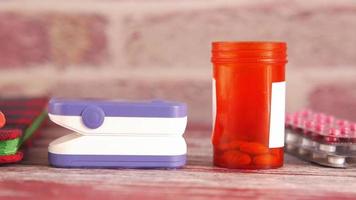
column 115, row 161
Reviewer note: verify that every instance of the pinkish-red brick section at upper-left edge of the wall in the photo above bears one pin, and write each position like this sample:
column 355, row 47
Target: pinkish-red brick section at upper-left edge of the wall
column 23, row 40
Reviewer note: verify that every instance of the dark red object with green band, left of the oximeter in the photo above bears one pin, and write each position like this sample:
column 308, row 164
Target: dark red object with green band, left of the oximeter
column 23, row 118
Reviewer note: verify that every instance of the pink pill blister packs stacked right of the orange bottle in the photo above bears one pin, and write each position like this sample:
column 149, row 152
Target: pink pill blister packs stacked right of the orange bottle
column 321, row 138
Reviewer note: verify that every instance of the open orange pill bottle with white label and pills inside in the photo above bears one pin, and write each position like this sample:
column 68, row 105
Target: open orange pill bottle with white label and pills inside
column 248, row 104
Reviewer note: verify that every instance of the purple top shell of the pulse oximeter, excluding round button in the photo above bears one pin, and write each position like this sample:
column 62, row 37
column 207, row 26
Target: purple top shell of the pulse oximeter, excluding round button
column 155, row 108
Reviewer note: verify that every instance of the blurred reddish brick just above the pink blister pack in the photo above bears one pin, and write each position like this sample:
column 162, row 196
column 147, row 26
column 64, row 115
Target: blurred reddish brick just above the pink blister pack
column 338, row 99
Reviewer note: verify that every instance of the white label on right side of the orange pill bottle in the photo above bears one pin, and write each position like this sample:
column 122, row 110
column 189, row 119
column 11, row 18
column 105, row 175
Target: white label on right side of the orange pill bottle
column 277, row 117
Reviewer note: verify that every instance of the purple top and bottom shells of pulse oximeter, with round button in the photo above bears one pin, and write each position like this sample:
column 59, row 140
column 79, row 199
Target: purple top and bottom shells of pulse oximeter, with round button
column 93, row 113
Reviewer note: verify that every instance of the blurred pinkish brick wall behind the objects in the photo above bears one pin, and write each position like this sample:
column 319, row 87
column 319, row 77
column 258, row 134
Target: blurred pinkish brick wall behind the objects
column 161, row 49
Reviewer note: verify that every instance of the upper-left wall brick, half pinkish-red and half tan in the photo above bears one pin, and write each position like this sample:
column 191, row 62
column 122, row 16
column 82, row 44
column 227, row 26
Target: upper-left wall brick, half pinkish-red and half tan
column 59, row 38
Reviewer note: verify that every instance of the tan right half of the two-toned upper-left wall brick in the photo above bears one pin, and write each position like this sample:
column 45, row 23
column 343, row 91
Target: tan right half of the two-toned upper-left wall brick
column 77, row 39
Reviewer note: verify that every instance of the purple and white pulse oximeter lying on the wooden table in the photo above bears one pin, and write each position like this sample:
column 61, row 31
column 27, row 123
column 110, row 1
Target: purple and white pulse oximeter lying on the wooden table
column 118, row 134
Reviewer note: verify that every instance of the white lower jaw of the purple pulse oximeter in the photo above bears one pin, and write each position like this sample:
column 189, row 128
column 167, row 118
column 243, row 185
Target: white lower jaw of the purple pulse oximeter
column 77, row 144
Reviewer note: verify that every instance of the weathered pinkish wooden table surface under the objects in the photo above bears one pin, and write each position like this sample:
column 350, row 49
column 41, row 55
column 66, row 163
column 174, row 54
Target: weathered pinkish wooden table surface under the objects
column 34, row 179
